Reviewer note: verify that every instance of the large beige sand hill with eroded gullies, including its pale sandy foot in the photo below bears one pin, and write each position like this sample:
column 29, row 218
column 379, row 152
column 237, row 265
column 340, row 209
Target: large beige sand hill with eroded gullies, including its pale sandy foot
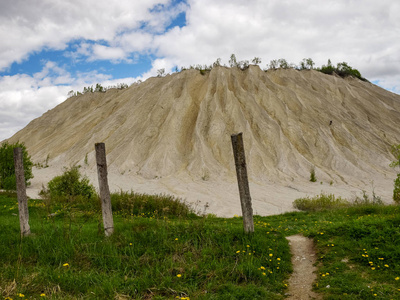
column 172, row 135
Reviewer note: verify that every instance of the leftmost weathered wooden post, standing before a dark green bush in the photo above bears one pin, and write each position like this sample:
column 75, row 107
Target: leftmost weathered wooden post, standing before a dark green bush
column 21, row 192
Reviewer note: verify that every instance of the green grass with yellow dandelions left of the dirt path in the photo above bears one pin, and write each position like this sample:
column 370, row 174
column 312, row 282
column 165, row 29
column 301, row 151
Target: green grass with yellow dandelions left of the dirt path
column 68, row 257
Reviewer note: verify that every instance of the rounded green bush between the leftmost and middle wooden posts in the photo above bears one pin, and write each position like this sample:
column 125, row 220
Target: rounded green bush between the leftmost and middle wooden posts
column 69, row 186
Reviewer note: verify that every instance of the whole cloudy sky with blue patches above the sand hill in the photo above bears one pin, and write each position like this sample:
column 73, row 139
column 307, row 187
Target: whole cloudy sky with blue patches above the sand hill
column 50, row 47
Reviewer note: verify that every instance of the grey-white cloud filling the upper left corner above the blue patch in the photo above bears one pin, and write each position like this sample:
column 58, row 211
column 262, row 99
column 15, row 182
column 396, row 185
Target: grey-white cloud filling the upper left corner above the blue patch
column 28, row 26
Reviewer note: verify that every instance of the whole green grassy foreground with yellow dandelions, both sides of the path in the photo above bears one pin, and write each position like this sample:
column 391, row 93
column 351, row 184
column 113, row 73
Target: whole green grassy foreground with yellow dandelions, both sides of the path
column 358, row 250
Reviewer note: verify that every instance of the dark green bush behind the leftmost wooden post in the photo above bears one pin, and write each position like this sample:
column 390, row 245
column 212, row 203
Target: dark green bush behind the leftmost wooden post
column 7, row 169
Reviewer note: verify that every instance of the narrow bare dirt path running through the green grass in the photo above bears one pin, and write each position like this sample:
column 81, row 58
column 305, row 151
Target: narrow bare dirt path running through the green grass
column 303, row 259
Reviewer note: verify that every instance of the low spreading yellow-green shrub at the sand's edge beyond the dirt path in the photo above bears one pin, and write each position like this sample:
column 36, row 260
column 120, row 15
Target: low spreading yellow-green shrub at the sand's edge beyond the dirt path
column 320, row 202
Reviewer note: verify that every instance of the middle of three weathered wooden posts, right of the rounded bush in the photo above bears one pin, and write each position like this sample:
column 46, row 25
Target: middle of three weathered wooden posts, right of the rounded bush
column 104, row 189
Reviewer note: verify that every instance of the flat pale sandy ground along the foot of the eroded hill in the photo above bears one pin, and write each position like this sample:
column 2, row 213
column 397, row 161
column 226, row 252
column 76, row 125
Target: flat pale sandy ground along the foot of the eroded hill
column 220, row 196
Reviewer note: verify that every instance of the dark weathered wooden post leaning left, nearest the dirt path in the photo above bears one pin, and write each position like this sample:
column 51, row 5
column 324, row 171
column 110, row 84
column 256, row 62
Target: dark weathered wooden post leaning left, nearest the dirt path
column 243, row 182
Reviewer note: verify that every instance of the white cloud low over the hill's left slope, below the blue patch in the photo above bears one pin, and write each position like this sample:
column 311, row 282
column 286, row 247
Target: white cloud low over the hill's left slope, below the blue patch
column 24, row 98
